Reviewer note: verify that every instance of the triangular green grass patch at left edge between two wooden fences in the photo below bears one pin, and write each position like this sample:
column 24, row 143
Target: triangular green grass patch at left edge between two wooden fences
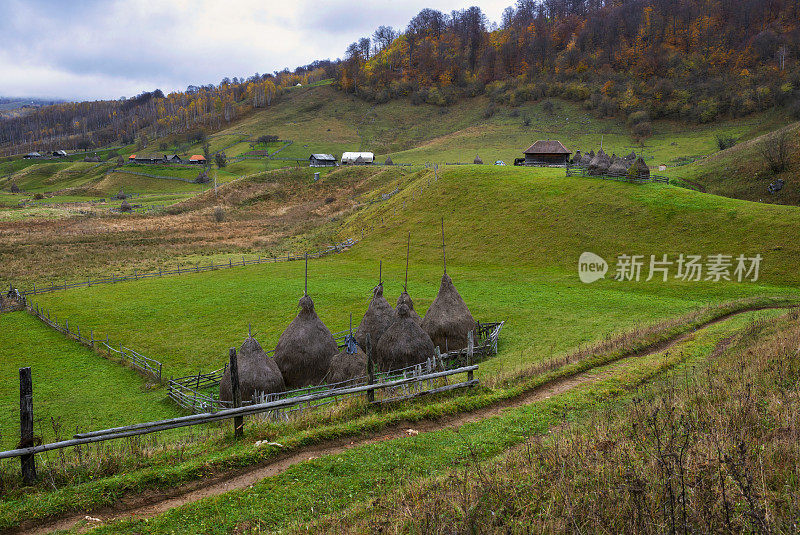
column 73, row 387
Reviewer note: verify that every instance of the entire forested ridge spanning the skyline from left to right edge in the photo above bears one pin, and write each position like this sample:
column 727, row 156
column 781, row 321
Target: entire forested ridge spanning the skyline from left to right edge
column 688, row 60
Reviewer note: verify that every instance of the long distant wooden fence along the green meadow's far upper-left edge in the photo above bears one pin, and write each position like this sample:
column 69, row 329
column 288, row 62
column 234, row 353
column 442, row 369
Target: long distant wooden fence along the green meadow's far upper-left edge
column 212, row 266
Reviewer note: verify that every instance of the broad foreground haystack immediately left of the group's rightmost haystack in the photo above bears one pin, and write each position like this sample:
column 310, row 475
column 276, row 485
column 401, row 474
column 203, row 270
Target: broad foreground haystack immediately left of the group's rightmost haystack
column 403, row 344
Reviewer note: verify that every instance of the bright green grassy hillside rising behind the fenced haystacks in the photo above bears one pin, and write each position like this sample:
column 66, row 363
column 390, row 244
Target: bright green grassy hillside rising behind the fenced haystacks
column 514, row 238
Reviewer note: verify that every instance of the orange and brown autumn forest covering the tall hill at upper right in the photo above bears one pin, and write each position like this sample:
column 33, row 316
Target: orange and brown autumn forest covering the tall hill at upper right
column 694, row 60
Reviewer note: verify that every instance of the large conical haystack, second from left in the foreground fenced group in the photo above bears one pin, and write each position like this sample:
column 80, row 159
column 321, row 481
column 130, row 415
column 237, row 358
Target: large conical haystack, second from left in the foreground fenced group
column 305, row 348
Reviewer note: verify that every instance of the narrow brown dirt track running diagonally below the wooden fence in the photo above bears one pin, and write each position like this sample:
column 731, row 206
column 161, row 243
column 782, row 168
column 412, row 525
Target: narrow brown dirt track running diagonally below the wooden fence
column 156, row 502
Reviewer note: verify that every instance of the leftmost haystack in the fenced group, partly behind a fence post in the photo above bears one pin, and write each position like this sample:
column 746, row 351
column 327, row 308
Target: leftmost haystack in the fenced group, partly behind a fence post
column 258, row 373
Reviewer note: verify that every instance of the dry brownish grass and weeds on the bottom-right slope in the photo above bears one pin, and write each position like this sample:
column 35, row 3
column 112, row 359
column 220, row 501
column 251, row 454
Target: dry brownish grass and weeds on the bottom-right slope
column 717, row 451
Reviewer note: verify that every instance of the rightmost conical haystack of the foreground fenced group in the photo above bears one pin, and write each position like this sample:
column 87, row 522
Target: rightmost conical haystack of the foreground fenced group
column 448, row 320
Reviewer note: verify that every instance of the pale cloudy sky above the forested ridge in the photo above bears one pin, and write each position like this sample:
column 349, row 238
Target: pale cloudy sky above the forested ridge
column 95, row 49
